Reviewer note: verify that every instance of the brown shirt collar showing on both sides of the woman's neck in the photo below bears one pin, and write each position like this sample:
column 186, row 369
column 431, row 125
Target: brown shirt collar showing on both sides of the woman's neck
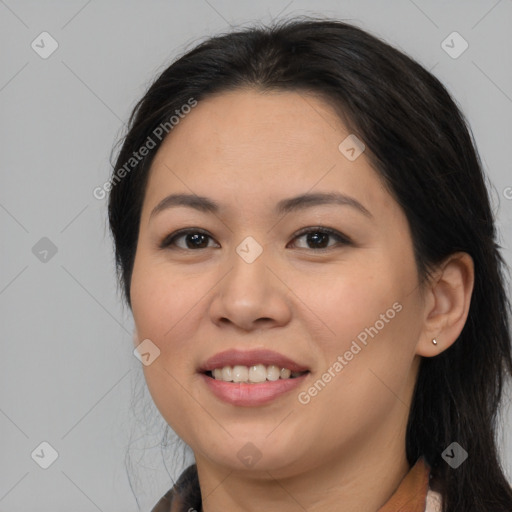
column 409, row 496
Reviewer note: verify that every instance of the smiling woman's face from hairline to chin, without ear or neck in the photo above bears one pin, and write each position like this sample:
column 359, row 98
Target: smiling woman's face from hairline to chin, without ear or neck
column 330, row 285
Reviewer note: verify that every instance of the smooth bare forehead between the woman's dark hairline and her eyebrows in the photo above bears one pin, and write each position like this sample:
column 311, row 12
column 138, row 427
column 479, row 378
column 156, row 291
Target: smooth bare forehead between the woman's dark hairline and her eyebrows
column 256, row 144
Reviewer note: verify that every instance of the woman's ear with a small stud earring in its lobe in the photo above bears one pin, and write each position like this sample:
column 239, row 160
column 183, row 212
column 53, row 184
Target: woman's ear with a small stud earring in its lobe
column 446, row 304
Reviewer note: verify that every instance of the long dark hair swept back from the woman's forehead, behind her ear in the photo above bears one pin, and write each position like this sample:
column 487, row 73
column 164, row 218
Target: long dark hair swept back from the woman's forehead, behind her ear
column 420, row 144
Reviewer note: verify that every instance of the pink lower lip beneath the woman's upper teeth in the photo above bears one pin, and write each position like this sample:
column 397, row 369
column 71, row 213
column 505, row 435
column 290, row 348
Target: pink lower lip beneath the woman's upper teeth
column 251, row 395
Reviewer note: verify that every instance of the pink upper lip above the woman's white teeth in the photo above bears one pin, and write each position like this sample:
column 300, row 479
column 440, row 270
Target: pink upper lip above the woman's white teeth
column 235, row 357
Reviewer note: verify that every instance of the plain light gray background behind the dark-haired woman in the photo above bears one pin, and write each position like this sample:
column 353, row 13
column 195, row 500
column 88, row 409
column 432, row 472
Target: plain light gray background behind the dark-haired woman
column 67, row 372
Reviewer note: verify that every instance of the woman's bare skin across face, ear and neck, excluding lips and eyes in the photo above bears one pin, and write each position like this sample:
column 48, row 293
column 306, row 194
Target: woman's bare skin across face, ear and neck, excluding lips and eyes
column 247, row 150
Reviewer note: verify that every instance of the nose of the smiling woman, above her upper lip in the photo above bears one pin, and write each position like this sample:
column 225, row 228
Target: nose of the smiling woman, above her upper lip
column 251, row 296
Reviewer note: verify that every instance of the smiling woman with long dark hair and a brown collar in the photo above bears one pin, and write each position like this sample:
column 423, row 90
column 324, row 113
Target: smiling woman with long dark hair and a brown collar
column 305, row 239
